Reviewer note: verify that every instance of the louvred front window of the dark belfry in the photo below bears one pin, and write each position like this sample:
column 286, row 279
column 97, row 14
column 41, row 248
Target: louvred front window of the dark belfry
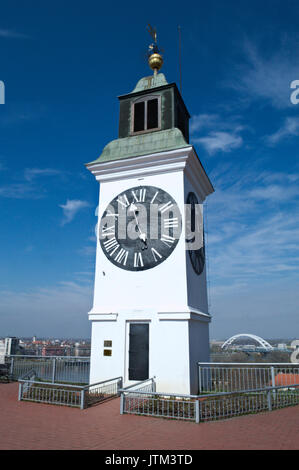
column 146, row 114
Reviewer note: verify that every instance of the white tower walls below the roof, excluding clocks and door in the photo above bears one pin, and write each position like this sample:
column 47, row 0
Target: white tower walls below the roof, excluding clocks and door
column 170, row 297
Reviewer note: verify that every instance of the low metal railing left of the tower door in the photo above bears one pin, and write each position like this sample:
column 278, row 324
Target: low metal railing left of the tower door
column 66, row 394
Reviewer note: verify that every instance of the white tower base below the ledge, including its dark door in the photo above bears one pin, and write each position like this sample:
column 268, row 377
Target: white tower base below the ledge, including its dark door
column 140, row 344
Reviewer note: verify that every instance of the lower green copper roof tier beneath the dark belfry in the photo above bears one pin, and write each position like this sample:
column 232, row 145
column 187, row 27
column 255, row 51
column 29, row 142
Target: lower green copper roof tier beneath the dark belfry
column 143, row 144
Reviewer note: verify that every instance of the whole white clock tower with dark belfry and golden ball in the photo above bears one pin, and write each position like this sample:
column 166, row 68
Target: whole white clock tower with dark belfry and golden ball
column 150, row 311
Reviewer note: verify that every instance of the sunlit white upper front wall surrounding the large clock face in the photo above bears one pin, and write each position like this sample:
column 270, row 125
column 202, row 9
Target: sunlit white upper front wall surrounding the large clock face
column 162, row 287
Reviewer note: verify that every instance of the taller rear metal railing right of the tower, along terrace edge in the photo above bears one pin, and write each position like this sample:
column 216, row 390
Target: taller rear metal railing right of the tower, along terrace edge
column 229, row 377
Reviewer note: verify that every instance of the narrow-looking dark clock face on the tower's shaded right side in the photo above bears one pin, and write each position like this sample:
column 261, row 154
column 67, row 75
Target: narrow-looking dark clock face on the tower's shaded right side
column 197, row 257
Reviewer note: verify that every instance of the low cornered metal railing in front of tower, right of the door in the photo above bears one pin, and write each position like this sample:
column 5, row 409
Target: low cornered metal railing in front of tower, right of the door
column 210, row 406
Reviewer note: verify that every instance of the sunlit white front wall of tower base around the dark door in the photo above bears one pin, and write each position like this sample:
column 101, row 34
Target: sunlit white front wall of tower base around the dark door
column 168, row 346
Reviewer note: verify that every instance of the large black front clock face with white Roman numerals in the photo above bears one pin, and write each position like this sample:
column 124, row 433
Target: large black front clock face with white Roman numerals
column 140, row 228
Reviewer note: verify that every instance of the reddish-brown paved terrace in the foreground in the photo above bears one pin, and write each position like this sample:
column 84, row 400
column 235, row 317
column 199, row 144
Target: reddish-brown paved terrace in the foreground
column 35, row 426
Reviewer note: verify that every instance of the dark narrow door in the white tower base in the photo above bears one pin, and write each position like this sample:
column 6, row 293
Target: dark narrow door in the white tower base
column 138, row 351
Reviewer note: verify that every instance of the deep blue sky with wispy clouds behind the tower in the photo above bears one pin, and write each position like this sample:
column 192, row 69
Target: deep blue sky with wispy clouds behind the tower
column 64, row 64
